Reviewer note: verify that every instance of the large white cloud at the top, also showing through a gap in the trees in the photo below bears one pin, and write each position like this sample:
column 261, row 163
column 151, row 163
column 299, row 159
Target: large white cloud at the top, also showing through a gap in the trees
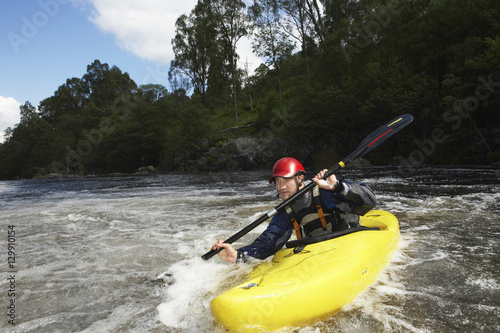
column 146, row 28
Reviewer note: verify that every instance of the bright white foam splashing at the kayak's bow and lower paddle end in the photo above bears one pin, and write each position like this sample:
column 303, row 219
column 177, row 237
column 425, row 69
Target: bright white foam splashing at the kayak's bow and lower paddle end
column 193, row 282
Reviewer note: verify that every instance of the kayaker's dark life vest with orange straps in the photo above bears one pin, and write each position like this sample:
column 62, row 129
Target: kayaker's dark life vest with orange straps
column 310, row 217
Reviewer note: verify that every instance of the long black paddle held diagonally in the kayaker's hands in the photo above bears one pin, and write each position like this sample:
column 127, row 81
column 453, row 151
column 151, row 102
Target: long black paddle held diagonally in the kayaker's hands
column 369, row 143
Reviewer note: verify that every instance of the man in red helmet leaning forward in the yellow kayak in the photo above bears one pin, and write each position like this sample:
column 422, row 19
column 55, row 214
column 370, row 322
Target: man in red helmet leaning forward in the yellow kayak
column 332, row 205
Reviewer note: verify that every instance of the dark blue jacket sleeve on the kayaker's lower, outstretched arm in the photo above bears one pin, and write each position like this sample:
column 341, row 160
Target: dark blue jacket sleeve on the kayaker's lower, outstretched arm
column 271, row 240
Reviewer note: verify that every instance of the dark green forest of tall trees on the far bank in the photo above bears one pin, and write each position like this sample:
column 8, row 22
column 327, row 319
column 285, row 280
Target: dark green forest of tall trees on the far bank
column 334, row 70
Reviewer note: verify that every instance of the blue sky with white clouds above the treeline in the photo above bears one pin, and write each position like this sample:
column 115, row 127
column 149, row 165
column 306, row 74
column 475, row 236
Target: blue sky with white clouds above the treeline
column 45, row 42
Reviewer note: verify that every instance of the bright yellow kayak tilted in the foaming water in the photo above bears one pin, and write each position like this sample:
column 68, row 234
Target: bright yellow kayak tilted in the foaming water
column 298, row 288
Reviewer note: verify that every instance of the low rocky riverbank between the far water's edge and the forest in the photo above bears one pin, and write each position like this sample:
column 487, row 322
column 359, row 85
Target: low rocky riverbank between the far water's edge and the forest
column 252, row 153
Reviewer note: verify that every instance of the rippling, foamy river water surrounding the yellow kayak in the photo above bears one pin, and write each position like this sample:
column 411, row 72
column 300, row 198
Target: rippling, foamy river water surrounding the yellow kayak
column 123, row 254
